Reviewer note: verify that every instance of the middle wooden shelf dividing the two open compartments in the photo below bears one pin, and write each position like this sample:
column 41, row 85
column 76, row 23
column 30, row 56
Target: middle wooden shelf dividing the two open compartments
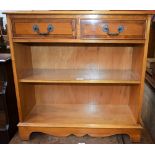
column 80, row 76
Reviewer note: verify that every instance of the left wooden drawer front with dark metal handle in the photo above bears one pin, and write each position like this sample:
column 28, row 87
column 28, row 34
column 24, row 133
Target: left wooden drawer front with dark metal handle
column 54, row 28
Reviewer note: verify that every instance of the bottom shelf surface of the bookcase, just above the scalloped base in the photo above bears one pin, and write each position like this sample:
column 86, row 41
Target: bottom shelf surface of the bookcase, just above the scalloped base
column 81, row 115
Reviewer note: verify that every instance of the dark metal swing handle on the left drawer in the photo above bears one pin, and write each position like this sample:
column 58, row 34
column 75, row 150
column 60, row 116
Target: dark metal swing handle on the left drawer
column 50, row 28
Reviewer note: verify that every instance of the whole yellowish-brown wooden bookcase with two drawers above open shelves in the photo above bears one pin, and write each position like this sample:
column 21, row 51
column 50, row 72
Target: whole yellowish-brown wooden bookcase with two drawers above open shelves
column 79, row 72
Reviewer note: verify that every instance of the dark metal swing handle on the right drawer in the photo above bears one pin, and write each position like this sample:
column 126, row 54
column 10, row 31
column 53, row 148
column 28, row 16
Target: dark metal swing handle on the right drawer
column 119, row 29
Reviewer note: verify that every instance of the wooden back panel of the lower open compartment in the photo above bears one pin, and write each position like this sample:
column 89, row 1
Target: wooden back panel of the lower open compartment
column 74, row 94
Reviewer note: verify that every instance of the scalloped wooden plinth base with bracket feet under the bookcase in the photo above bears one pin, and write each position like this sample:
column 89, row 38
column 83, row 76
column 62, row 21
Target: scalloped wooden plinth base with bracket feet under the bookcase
column 134, row 132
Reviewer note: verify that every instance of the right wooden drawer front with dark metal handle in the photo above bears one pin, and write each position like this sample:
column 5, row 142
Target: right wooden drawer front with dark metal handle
column 112, row 29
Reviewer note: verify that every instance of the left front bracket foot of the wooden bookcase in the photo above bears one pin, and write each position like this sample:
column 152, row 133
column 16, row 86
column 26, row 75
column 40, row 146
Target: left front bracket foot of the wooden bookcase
column 24, row 133
